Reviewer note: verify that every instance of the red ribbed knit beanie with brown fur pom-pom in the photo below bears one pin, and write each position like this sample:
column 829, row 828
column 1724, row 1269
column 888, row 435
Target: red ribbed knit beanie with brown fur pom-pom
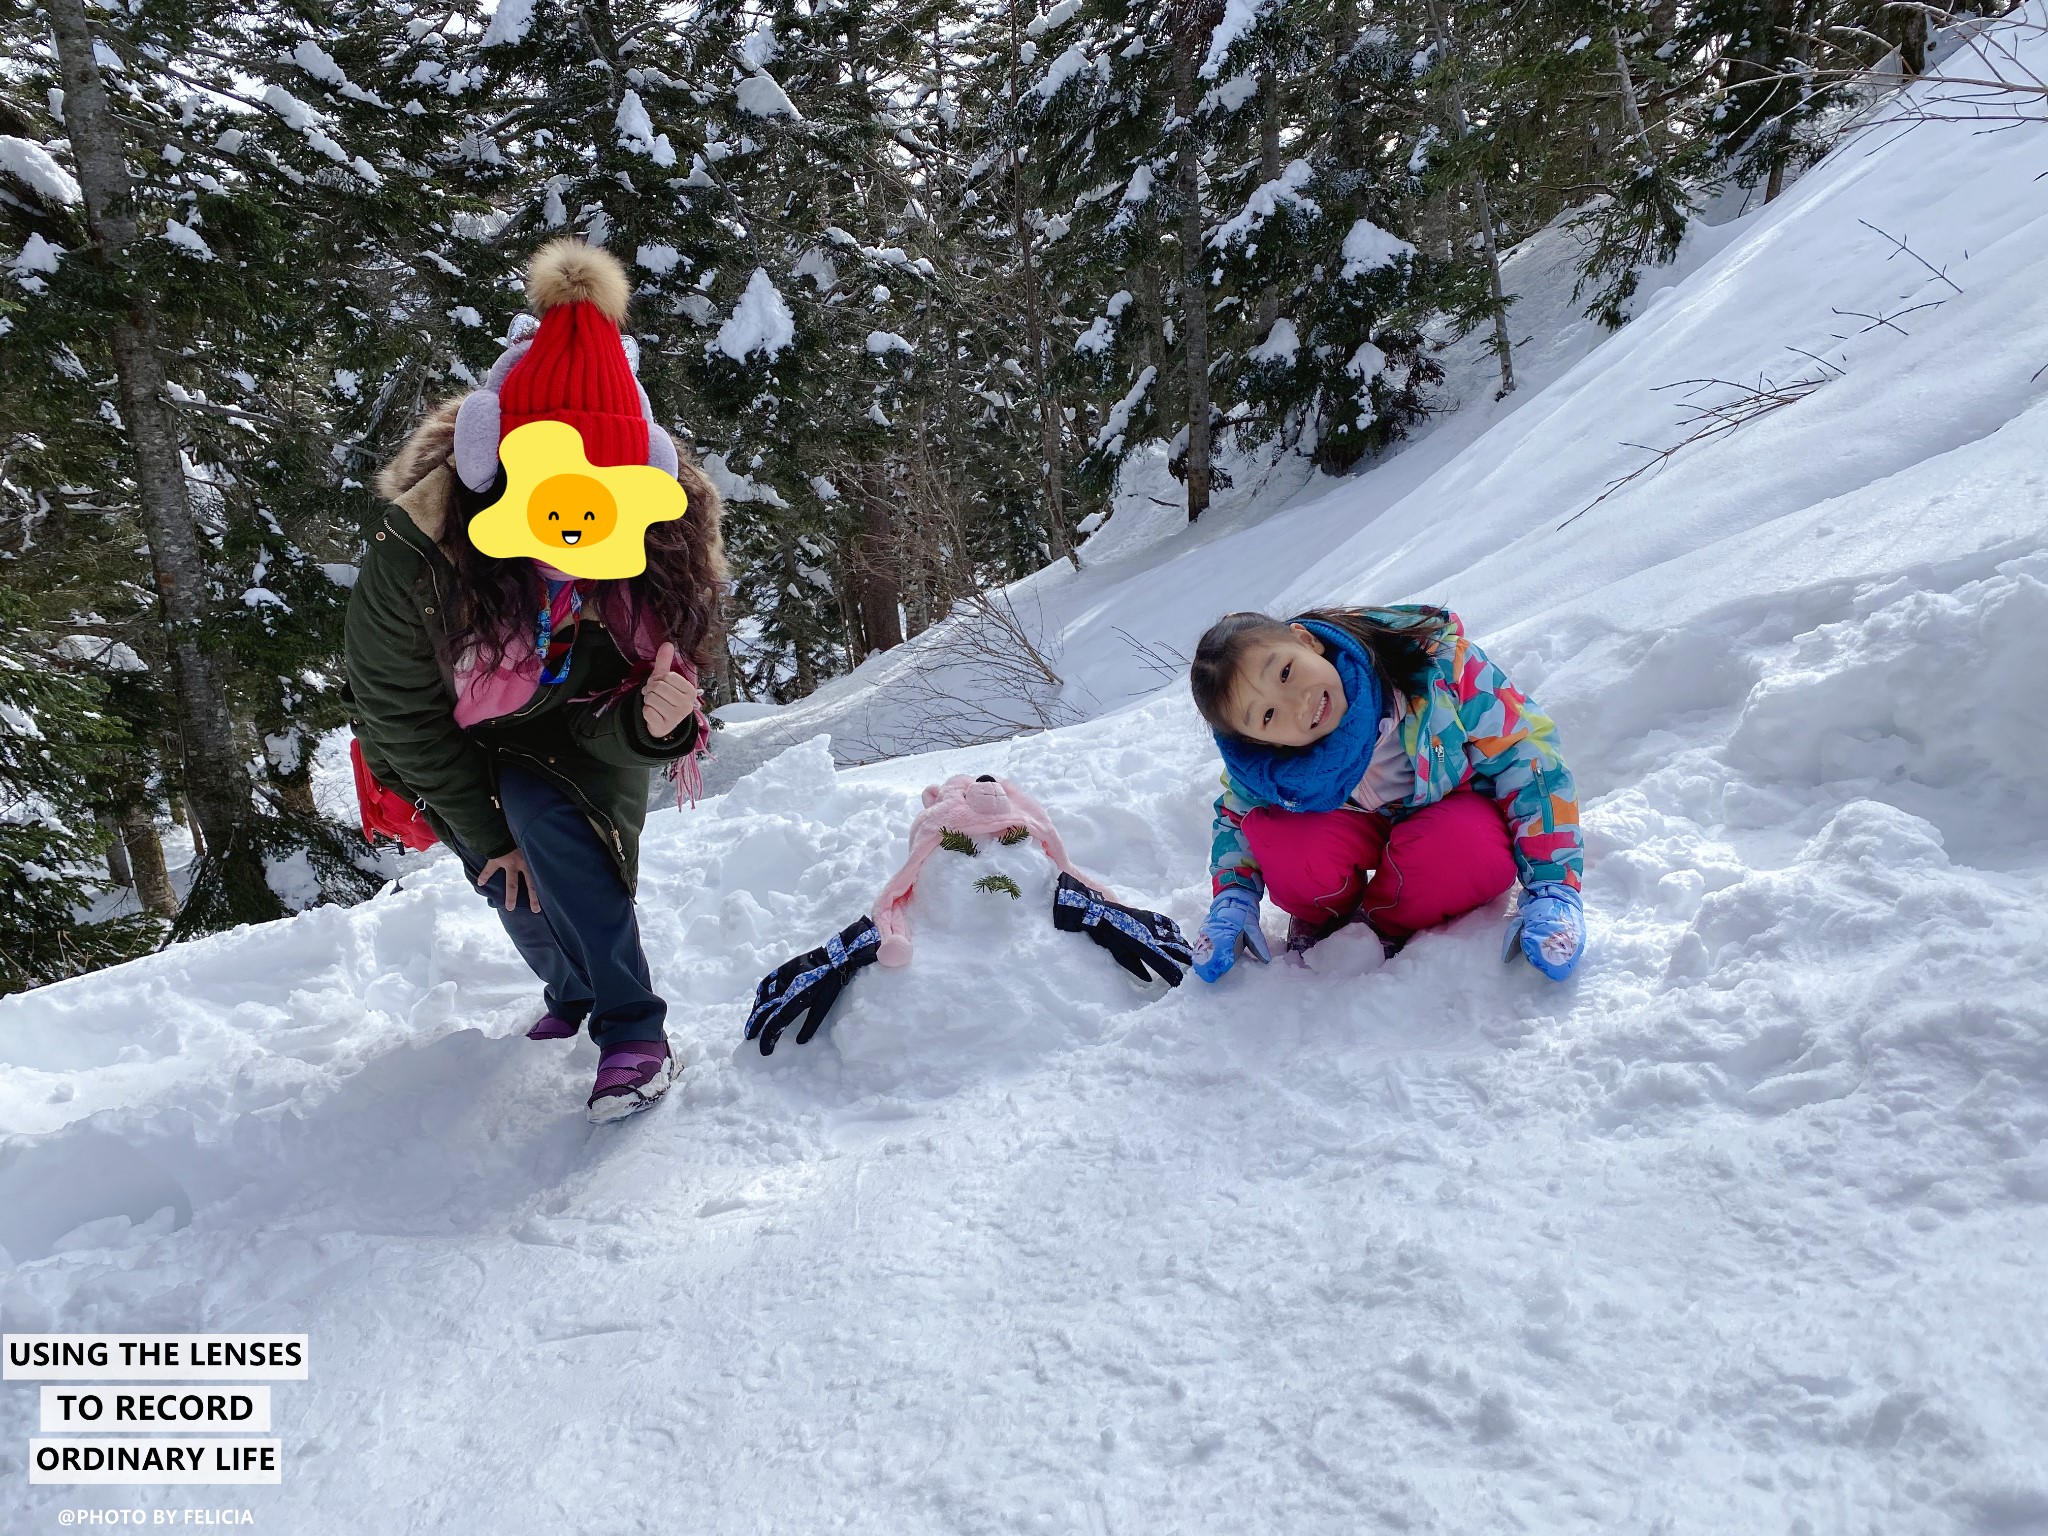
column 577, row 370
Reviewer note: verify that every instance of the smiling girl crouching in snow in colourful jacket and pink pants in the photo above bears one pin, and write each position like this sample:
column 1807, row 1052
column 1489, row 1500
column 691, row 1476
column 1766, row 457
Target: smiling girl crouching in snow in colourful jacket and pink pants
column 1379, row 769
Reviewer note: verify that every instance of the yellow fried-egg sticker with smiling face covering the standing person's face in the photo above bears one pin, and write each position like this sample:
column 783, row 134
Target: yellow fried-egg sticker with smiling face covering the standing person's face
column 579, row 517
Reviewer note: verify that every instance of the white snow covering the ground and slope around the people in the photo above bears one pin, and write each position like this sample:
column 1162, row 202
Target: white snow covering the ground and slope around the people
column 1738, row 1232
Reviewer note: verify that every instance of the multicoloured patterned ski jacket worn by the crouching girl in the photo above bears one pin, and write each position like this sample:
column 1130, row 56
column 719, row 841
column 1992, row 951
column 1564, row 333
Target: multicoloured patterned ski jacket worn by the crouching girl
column 1469, row 728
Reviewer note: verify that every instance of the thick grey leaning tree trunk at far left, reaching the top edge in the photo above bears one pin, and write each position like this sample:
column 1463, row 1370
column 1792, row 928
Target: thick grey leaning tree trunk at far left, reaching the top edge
column 216, row 779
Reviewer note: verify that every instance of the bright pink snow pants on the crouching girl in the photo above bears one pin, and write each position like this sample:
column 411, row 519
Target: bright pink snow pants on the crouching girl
column 1402, row 878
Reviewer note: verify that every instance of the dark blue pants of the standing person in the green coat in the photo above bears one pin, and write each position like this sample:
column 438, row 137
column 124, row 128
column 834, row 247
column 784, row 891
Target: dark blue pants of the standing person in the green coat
column 585, row 941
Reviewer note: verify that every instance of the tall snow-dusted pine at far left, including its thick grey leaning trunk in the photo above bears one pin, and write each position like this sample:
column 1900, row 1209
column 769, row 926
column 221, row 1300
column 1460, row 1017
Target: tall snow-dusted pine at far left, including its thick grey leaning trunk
column 232, row 257
